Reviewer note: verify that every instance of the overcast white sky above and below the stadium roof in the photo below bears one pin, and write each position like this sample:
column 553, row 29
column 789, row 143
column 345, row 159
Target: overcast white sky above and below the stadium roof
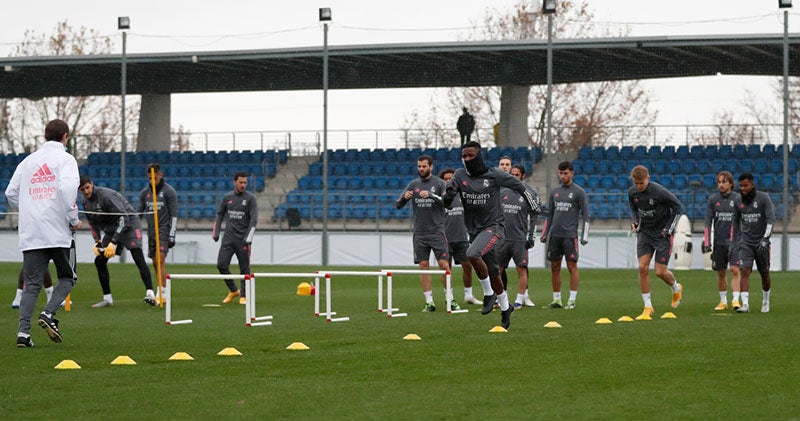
column 160, row 26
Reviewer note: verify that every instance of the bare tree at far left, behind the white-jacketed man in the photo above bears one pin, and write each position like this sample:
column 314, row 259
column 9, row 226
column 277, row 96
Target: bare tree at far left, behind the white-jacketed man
column 94, row 121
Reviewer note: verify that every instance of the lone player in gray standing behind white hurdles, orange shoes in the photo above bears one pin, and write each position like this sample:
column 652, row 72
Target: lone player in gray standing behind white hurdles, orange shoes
column 239, row 211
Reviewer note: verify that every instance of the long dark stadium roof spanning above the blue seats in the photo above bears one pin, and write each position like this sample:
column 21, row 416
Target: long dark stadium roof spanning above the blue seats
column 446, row 64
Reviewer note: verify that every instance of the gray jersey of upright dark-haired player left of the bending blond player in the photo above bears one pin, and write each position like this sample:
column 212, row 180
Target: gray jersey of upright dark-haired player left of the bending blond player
column 567, row 205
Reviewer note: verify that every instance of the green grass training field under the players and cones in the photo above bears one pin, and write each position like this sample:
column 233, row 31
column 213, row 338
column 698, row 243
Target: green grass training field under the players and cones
column 701, row 365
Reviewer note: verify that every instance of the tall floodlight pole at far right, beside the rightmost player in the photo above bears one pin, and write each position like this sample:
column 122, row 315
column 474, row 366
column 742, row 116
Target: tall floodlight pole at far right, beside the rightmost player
column 785, row 4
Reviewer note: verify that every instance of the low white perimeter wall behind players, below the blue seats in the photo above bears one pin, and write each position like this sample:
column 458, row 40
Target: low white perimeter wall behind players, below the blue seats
column 605, row 250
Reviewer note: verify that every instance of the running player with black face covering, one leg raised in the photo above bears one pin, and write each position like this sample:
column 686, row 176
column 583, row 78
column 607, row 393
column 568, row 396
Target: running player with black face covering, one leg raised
column 479, row 188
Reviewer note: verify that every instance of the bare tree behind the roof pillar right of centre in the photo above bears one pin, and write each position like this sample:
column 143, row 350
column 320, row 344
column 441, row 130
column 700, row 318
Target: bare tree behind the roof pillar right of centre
column 585, row 113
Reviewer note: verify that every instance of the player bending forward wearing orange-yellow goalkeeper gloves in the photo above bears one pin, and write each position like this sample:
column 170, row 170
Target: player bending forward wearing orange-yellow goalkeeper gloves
column 115, row 227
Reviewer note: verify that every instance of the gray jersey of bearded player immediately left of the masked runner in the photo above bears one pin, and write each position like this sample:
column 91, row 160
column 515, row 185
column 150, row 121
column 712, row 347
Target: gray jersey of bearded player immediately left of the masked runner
column 429, row 211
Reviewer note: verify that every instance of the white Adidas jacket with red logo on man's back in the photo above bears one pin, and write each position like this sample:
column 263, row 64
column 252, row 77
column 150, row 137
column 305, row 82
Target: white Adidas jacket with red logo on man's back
column 45, row 187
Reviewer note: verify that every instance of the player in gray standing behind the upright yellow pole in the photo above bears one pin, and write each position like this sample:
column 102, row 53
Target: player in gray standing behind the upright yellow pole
column 167, row 201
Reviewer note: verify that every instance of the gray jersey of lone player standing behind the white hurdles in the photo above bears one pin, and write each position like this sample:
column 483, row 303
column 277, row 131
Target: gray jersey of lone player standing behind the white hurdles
column 240, row 213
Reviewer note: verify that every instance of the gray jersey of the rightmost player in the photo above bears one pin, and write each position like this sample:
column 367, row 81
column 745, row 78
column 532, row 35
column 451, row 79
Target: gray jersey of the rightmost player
column 752, row 220
